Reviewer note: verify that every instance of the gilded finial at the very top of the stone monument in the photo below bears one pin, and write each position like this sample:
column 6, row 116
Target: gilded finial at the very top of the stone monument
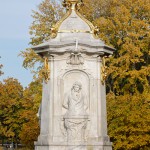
column 72, row 4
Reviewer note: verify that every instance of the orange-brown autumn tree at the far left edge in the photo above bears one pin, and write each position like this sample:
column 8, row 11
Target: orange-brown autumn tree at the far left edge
column 11, row 92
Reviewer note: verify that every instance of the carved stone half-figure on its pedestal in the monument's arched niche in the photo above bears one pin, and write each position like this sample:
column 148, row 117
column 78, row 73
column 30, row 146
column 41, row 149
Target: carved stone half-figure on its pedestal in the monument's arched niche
column 76, row 117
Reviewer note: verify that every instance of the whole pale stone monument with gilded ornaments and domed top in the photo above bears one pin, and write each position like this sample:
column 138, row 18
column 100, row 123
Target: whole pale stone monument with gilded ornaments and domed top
column 73, row 108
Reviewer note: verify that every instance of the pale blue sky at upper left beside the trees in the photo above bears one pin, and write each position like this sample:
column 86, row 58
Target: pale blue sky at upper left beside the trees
column 15, row 19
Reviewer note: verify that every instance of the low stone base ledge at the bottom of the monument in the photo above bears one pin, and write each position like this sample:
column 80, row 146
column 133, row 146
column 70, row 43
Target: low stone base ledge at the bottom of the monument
column 75, row 146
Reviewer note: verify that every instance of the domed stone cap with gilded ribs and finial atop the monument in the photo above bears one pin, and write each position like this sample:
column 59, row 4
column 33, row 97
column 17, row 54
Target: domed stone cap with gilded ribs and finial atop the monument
column 73, row 7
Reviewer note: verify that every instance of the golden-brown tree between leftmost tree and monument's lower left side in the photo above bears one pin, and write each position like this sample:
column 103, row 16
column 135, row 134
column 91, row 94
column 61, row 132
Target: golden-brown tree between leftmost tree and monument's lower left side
column 32, row 96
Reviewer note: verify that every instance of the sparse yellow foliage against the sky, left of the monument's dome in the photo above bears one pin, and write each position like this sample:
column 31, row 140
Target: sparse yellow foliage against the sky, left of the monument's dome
column 49, row 12
